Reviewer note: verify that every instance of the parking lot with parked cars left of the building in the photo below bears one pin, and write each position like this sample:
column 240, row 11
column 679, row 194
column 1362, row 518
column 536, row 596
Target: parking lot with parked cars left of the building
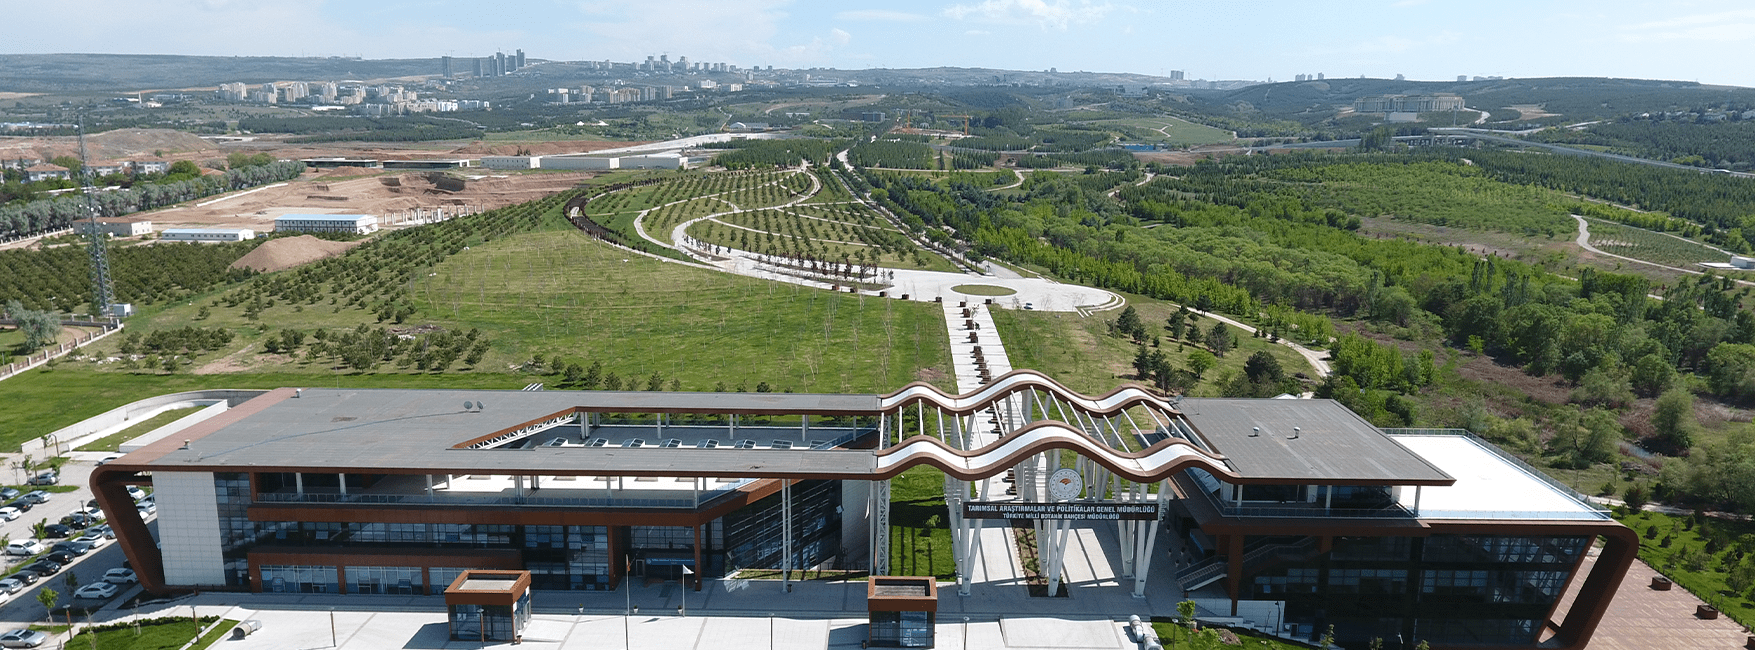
column 24, row 609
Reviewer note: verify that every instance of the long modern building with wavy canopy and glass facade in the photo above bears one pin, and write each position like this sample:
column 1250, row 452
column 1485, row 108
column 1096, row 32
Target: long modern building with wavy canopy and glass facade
column 1296, row 514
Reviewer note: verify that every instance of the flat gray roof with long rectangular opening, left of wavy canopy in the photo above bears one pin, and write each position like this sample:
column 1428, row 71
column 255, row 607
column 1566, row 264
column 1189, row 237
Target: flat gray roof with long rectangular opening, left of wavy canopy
column 415, row 431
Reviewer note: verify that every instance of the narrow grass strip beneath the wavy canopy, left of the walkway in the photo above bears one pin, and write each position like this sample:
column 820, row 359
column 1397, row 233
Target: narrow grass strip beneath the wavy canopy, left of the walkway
column 920, row 526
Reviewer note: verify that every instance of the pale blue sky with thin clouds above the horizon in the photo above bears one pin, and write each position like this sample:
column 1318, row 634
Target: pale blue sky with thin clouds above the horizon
column 1236, row 40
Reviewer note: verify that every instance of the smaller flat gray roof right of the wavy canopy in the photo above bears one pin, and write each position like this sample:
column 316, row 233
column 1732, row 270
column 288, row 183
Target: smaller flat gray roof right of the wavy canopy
column 1335, row 445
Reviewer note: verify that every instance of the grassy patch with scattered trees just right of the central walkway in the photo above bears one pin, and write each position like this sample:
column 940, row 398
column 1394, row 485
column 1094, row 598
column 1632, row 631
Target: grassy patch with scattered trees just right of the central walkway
column 1082, row 354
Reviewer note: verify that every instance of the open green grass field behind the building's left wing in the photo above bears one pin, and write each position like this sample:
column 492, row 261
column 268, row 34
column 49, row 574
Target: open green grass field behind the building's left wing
column 561, row 292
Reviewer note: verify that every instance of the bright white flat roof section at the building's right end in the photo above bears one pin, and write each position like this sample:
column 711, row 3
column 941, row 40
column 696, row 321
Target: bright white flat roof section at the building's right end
column 1489, row 486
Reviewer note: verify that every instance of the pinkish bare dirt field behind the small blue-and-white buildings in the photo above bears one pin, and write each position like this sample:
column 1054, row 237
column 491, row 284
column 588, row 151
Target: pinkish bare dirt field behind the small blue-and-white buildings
column 390, row 198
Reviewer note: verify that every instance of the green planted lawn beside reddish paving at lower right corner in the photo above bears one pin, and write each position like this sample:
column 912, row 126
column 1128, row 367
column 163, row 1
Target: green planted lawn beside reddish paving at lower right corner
column 1689, row 561
